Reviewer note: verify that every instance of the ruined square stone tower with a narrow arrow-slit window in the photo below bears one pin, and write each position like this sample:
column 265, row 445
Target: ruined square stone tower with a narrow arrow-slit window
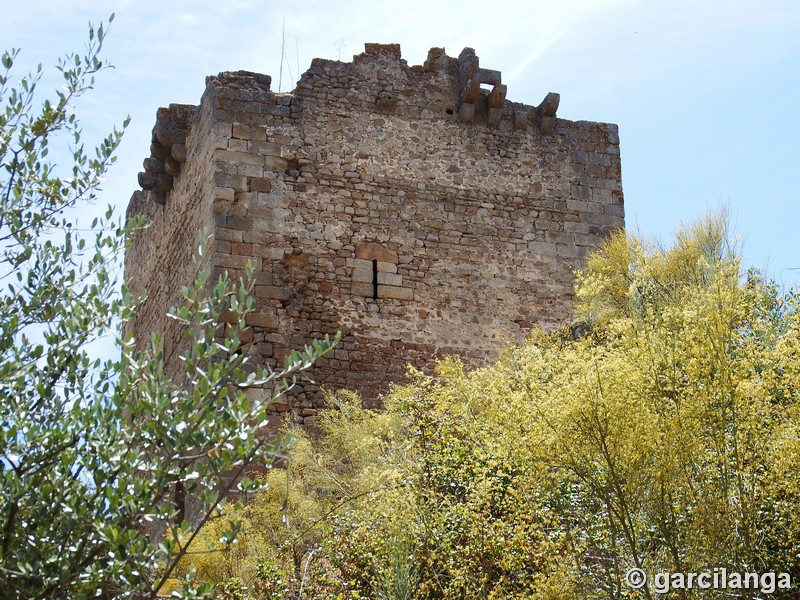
column 415, row 209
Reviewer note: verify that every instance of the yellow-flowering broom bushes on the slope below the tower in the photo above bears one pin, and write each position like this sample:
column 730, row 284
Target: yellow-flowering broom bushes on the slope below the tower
column 662, row 433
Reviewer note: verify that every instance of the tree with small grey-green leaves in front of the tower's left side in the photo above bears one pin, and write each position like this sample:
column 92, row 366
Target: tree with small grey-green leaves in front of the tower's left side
column 93, row 450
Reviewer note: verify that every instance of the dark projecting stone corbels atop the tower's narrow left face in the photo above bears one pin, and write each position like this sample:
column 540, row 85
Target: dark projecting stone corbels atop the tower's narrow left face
column 167, row 151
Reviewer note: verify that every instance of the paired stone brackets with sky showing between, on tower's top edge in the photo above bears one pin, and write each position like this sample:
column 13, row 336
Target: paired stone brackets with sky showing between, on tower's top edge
column 470, row 79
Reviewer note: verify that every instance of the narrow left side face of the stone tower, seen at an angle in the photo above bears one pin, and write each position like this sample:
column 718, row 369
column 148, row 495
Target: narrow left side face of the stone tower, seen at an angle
column 162, row 254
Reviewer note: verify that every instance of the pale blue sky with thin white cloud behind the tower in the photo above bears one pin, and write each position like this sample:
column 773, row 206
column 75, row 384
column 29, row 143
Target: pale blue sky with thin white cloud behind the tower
column 705, row 92
